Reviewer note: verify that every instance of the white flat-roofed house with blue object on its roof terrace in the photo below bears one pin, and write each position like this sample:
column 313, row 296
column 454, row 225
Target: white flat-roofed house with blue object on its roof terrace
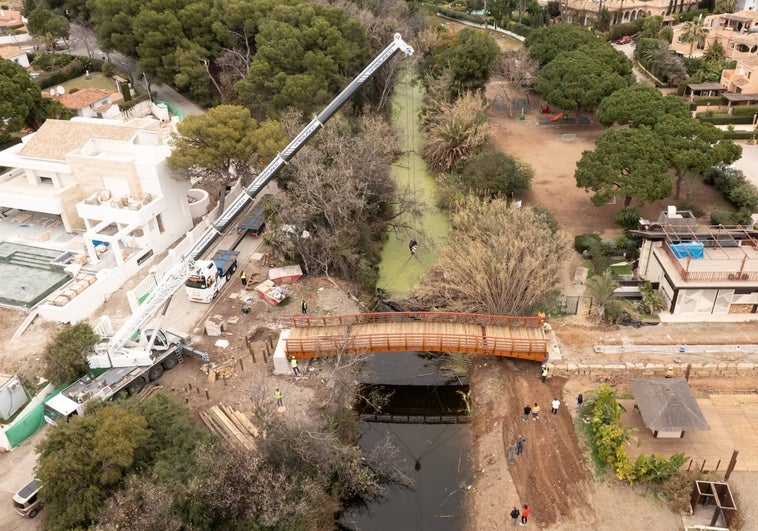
column 701, row 273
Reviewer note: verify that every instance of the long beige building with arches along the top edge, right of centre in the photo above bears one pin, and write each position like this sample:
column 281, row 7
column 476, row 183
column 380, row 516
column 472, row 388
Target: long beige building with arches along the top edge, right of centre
column 586, row 11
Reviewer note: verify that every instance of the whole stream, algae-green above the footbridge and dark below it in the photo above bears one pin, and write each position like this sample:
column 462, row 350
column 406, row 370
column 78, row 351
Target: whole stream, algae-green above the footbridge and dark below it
column 435, row 456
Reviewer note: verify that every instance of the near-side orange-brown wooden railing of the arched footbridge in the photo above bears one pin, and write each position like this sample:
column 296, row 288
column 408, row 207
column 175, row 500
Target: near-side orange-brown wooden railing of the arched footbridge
column 532, row 349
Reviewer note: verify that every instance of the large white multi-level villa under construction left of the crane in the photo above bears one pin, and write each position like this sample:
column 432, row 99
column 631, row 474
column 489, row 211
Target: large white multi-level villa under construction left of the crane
column 106, row 179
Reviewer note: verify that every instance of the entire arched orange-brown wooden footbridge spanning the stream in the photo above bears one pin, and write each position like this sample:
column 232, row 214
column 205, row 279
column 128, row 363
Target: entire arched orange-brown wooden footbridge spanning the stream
column 496, row 335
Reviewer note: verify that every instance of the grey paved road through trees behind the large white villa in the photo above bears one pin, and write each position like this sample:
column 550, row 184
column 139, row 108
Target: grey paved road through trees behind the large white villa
column 82, row 42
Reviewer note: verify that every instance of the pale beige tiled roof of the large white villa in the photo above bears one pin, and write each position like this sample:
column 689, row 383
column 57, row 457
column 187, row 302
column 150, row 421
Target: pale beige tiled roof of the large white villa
column 56, row 138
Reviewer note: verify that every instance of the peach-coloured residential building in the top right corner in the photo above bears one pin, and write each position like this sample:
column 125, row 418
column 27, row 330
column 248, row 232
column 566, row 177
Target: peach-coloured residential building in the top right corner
column 737, row 33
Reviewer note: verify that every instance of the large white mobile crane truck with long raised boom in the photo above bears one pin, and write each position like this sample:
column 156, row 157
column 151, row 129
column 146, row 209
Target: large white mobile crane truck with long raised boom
column 133, row 364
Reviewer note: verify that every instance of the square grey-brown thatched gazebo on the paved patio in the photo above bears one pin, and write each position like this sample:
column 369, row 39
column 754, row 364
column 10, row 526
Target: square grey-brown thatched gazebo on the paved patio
column 667, row 406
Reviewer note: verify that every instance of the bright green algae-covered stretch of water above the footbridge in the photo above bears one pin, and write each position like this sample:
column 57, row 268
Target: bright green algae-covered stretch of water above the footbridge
column 399, row 271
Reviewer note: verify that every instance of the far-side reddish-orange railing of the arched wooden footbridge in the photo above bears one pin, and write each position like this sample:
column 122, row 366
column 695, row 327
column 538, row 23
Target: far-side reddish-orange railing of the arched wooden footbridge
column 309, row 321
